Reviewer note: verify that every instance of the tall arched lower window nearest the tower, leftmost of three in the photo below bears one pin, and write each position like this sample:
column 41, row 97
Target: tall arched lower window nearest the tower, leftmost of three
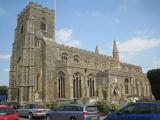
column 61, row 85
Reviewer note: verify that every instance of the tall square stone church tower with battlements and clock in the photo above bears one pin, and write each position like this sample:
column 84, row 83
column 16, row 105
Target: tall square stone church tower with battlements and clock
column 33, row 23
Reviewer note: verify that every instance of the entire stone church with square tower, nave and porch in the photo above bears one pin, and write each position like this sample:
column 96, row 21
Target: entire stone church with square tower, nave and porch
column 41, row 70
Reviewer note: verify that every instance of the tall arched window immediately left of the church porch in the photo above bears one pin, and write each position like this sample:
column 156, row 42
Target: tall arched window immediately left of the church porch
column 91, row 82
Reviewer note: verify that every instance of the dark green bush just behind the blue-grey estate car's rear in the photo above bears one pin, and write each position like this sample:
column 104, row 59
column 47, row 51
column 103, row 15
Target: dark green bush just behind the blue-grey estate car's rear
column 102, row 106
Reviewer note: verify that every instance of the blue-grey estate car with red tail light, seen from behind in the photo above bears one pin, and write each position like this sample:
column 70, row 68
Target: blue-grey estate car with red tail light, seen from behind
column 73, row 112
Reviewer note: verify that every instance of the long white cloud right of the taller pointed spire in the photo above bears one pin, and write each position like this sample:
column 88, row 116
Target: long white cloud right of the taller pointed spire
column 137, row 45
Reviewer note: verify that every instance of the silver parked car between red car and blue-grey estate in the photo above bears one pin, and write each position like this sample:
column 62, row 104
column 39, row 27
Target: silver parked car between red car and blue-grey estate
column 32, row 111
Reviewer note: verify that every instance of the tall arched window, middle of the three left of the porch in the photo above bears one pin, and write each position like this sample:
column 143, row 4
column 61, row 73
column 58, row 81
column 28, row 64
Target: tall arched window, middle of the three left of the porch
column 77, row 85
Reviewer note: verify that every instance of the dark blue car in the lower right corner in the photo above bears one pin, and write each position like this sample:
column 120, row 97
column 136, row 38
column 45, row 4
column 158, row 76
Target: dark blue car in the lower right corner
column 137, row 111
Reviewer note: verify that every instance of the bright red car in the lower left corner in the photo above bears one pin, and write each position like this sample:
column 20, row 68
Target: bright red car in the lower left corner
column 7, row 113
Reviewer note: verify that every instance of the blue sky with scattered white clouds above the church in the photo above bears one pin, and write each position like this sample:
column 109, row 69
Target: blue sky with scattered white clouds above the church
column 134, row 24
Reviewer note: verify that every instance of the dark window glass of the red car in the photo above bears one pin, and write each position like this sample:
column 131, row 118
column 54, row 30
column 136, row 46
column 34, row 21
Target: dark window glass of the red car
column 7, row 111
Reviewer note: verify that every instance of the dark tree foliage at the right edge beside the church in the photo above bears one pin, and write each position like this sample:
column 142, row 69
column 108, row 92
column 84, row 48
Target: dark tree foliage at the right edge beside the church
column 154, row 79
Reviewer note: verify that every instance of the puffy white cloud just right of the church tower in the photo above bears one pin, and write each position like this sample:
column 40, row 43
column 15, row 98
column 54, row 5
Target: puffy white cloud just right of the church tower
column 64, row 36
